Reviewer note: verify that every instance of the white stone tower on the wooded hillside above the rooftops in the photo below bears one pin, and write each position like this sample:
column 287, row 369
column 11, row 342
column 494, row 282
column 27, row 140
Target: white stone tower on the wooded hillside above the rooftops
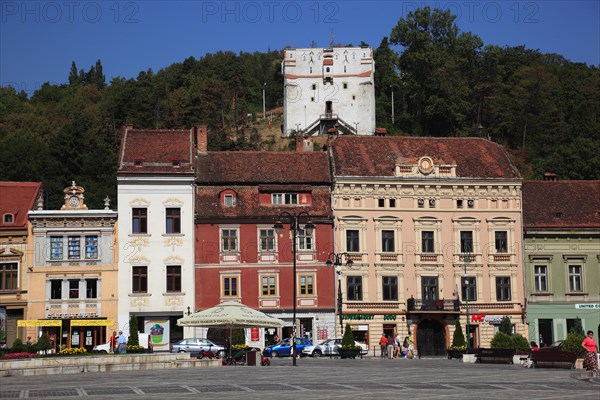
column 329, row 88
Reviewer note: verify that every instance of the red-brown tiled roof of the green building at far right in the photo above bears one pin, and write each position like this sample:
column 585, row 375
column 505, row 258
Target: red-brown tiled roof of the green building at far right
column 561, row 204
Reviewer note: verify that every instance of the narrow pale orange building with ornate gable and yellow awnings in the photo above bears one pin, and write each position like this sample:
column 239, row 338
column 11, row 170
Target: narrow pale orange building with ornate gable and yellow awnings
column 73, row 279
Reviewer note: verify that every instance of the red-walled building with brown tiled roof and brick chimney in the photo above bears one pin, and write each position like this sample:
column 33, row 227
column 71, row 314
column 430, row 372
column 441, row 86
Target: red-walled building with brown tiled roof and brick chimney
column 241, row 256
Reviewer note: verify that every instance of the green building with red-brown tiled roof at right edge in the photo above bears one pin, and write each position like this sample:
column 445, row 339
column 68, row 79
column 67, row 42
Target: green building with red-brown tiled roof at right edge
column 561, row 222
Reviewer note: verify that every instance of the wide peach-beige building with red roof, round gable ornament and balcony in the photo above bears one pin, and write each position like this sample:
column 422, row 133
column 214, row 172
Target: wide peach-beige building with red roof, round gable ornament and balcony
column 433, row 227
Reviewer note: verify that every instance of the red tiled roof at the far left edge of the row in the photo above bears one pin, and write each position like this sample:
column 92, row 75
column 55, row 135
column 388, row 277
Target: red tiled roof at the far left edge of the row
column 17, row 198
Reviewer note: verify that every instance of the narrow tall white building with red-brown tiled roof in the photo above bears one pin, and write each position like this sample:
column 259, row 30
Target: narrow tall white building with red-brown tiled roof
column 156, row 231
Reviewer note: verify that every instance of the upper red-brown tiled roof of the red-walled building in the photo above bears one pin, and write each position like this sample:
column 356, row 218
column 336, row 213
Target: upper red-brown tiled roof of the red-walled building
column 262, row 167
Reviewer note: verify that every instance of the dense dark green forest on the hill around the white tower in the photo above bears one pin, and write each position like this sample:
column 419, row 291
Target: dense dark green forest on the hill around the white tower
column 543, row 108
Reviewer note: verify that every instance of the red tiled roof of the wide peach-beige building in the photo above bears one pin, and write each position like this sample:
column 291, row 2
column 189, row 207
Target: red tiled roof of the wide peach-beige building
column 378, row 155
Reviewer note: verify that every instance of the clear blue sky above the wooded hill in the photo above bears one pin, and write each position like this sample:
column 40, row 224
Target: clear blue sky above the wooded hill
column 40, row 39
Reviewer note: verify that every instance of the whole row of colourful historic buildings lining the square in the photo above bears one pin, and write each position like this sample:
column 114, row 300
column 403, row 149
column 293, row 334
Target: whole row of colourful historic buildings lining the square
column 389, row 234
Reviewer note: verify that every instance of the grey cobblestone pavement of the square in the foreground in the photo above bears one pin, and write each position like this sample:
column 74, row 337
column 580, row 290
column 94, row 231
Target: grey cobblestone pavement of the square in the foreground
column 317, row 379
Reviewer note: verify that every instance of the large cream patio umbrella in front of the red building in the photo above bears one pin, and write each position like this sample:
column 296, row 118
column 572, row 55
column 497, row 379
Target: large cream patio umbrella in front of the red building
column 231, row 314
